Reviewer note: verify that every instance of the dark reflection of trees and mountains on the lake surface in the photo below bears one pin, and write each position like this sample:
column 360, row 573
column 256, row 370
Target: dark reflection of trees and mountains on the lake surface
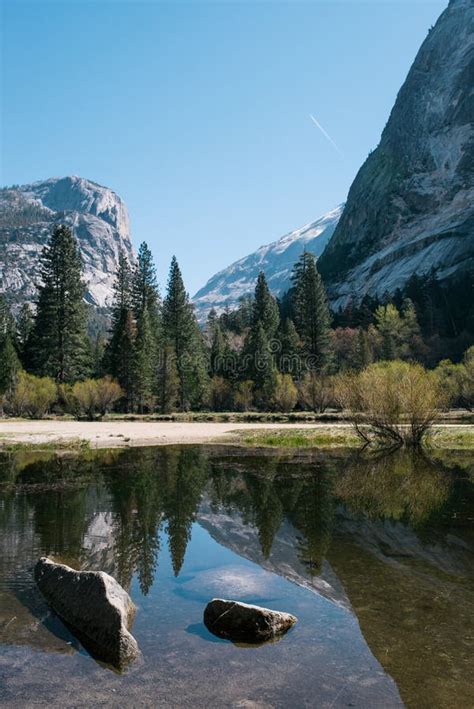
column 388, row 538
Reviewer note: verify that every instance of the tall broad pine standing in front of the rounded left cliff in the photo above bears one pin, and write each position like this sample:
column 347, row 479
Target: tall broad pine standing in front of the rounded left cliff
column 59, row 340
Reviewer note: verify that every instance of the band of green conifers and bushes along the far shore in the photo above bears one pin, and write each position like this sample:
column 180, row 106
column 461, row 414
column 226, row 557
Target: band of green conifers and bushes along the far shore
column 267, row 355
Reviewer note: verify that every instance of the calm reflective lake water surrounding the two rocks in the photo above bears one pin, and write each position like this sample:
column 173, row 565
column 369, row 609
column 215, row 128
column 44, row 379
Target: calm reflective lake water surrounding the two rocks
column 375, row 555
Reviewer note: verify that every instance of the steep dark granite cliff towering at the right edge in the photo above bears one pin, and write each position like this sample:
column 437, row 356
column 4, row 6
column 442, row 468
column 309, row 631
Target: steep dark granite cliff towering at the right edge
column 411, row 206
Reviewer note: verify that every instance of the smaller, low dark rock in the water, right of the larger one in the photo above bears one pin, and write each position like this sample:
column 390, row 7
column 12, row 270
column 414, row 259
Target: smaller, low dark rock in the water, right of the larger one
column 243, row 623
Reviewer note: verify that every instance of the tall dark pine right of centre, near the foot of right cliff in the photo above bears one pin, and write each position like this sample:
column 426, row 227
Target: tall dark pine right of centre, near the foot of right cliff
column 311, row 310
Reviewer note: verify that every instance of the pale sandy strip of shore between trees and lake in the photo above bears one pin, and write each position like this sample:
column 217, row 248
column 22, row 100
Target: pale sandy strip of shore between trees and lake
column 110, row 434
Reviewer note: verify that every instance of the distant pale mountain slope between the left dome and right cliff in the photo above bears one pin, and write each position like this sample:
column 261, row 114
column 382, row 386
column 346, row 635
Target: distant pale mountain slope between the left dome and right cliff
column 276, row 260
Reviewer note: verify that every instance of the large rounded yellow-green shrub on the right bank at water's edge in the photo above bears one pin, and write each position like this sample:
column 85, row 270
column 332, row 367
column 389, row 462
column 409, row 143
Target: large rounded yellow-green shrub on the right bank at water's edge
column 393, row 402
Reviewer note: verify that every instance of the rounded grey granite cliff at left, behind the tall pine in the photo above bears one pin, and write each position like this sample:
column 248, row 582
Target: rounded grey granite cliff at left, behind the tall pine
column 99, row 221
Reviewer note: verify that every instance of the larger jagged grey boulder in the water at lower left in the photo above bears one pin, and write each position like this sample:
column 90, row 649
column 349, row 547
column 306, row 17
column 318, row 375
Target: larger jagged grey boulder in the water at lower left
column 94, row 606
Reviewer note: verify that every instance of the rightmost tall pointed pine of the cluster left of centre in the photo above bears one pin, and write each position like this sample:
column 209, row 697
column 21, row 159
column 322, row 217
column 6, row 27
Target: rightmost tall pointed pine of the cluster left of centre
column 182, row 335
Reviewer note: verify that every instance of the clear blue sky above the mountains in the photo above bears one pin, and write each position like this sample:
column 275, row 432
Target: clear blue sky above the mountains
column 197, row 113
